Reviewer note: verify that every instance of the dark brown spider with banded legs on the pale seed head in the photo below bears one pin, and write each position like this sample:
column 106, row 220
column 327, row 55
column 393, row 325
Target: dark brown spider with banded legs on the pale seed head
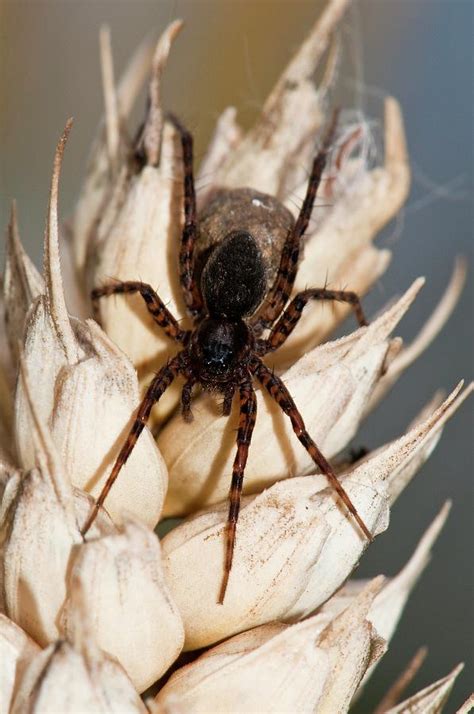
column 228, row 299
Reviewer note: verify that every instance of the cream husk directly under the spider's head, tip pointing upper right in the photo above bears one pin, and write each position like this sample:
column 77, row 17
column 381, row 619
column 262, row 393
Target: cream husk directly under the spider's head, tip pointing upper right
column 331, row 386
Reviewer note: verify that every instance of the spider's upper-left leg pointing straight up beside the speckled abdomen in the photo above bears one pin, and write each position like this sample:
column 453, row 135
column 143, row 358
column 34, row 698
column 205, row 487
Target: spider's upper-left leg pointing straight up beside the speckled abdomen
column 191, row 293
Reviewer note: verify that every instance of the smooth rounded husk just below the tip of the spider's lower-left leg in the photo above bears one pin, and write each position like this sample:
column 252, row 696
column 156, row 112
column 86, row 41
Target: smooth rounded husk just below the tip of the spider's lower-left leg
column 118, row 579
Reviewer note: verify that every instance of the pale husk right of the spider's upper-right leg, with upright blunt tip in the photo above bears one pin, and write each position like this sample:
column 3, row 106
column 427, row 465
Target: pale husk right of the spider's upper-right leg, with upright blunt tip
column 345, row 237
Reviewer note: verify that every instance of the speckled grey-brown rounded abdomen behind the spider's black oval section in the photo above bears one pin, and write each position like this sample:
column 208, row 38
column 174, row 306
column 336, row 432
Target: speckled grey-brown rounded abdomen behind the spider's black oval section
column 259, row 214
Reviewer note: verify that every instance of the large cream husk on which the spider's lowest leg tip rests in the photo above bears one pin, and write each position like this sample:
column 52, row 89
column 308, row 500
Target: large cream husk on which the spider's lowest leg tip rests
column 307, row 545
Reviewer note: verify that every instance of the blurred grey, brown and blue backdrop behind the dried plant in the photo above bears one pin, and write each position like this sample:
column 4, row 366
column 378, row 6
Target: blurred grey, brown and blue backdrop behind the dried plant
column 231, row 52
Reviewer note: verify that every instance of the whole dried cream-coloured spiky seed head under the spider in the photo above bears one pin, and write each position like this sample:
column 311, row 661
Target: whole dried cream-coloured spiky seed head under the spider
column 89, row 625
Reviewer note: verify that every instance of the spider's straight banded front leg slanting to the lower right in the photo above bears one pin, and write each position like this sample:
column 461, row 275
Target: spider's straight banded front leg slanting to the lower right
column 283, row 398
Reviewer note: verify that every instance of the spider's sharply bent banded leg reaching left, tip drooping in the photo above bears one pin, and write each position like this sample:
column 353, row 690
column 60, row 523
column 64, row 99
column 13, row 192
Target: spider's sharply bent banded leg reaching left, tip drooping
column 156, row 307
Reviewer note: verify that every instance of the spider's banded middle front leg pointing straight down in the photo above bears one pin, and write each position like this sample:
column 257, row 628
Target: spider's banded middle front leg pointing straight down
column 248, row 414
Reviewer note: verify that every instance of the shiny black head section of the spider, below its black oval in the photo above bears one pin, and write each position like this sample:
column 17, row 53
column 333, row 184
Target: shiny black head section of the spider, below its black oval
column 218, row 348
